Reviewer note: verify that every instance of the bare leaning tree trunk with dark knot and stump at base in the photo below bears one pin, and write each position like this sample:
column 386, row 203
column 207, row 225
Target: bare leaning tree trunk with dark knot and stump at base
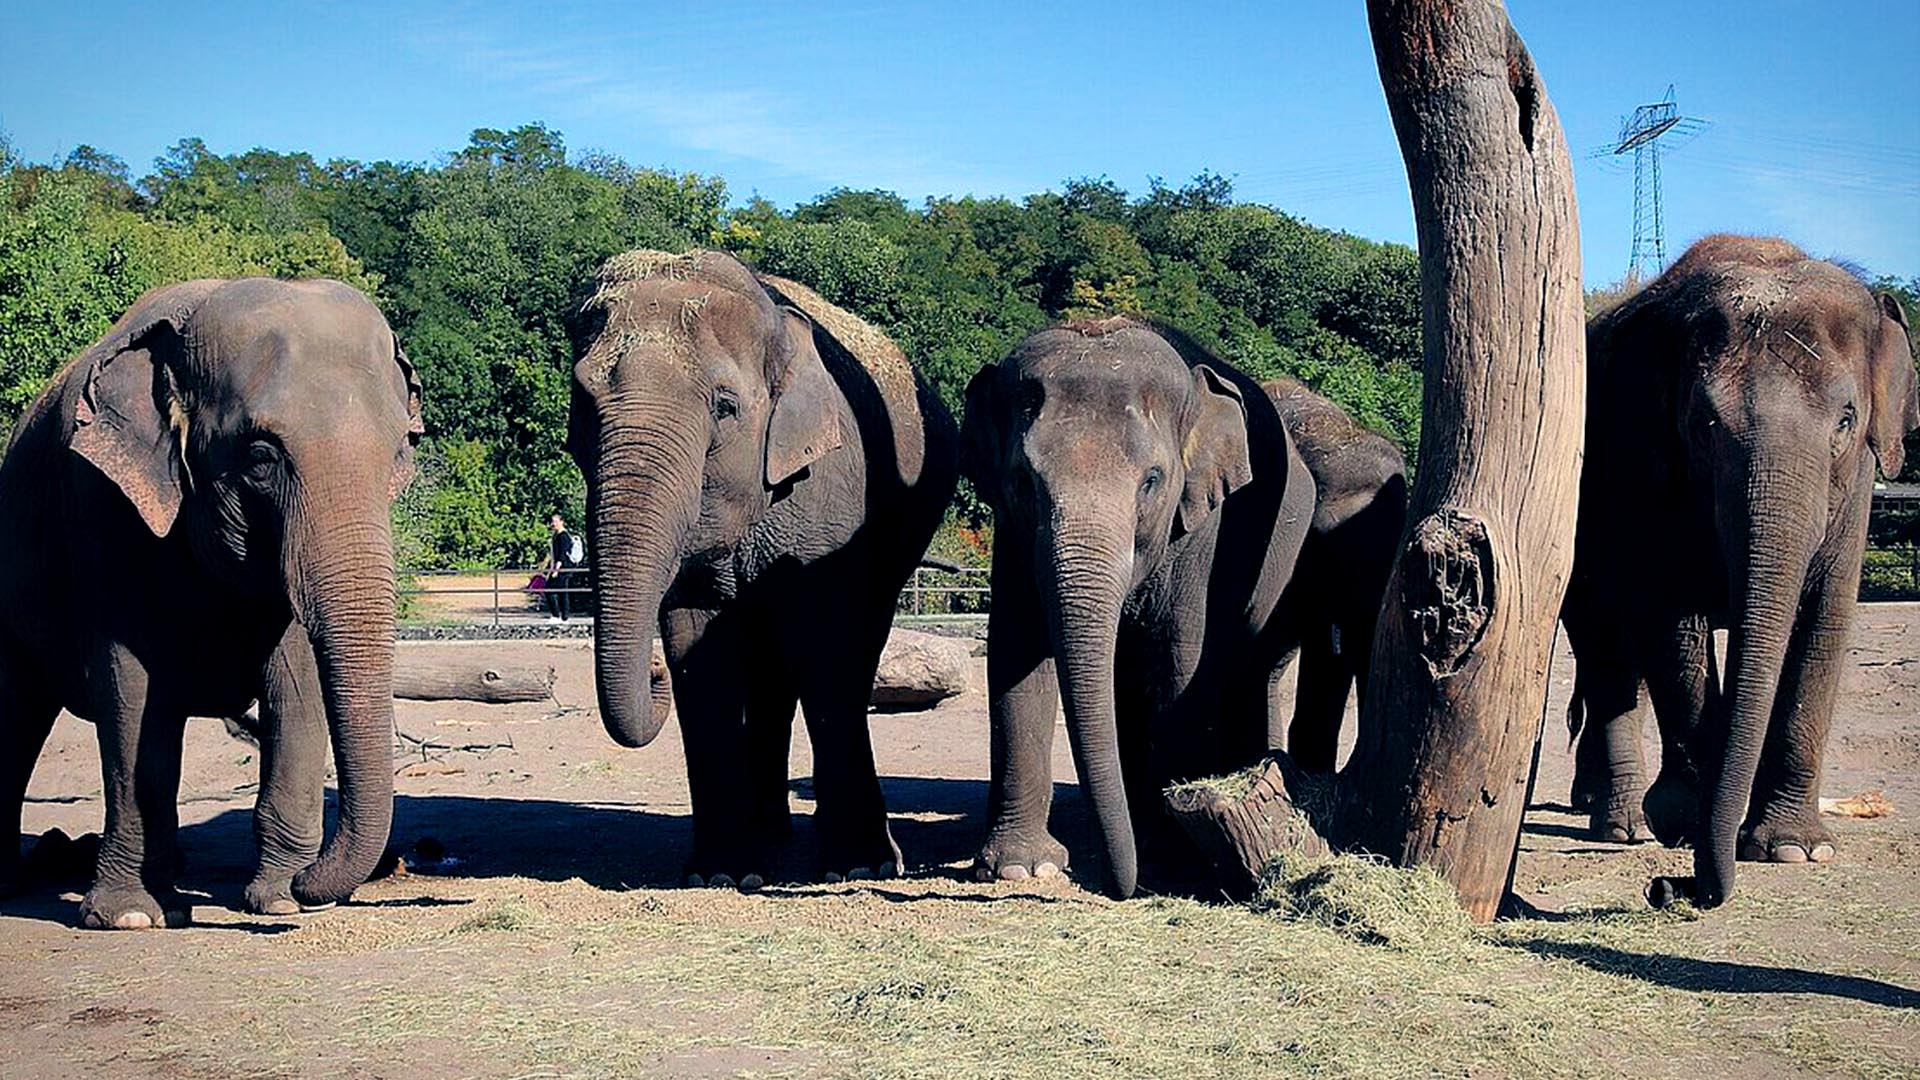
column 1466, row 631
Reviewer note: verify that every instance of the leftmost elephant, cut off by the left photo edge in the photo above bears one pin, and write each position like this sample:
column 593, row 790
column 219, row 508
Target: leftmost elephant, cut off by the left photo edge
column 197, row 516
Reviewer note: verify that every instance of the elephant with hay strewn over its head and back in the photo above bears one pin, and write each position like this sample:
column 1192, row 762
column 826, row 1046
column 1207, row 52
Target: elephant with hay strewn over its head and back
column 763, row 476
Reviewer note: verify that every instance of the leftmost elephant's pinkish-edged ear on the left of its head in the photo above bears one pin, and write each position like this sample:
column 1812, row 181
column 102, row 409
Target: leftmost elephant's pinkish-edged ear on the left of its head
column 130, row 422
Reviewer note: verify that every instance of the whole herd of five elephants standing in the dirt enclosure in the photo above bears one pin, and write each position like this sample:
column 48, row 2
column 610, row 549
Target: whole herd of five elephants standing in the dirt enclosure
column 197, row 514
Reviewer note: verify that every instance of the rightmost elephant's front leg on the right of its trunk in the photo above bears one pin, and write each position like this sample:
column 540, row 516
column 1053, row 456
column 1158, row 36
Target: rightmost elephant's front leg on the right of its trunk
column 1785, row 816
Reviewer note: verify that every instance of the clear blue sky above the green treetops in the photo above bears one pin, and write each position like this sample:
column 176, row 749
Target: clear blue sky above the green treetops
column 1813, row 107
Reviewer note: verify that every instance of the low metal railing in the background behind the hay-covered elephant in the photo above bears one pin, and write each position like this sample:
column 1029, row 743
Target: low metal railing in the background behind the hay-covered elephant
column 506, row 597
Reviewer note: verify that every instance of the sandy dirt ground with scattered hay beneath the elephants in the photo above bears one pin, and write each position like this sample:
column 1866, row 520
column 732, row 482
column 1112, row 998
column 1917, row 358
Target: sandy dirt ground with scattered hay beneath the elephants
column 556, row 941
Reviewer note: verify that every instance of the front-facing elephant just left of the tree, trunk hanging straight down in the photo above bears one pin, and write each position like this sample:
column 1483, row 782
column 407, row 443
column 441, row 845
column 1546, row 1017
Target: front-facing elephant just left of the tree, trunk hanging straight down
column 1149, row 510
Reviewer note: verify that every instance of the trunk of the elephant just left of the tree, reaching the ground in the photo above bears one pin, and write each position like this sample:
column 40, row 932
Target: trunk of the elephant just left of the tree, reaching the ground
column 1086, row 570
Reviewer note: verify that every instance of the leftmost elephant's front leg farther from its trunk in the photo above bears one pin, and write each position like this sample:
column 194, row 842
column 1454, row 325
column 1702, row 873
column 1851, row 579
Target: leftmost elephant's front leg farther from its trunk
column 141, row 773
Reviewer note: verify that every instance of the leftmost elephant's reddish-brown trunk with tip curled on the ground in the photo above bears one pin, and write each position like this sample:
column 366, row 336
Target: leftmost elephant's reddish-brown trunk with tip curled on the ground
column 347, row 602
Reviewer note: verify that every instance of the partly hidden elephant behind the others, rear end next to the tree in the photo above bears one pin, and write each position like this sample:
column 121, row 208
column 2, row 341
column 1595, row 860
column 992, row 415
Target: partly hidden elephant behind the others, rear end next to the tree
column 1360, row 483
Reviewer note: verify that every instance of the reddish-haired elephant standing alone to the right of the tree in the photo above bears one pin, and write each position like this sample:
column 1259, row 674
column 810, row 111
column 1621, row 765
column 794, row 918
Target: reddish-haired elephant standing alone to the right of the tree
column 1737, row 410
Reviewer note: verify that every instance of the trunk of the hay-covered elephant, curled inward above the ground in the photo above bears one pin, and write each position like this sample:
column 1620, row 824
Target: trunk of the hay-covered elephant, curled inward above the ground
column 640, row 508
